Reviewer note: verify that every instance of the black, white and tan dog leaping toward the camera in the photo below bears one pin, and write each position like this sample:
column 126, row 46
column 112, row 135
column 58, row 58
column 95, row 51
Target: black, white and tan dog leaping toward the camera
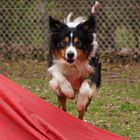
column 74, row 61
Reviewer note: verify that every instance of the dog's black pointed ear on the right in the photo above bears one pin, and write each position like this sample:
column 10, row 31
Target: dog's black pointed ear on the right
column 89, row 25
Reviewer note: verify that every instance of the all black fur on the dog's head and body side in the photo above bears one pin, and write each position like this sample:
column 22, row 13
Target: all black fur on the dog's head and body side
column 84, row 32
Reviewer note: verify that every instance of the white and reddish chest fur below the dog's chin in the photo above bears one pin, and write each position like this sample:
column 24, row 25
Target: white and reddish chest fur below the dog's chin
column 74, row 73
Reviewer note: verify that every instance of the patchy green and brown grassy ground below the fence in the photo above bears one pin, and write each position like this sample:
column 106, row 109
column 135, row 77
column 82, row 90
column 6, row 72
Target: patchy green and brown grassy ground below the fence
column 116, row 107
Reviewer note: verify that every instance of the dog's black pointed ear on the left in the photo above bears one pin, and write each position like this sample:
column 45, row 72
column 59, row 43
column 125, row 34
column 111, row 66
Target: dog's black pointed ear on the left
column 55, row 25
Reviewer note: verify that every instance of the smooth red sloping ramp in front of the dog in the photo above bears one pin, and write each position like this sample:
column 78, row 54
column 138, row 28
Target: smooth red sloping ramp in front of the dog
column 24, row 116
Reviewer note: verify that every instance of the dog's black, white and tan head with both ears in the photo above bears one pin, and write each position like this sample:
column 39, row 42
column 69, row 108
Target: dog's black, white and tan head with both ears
column 71, row 41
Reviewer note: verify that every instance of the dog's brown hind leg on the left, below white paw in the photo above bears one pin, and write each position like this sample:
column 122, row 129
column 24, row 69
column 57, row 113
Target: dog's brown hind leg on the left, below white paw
column 62, row 102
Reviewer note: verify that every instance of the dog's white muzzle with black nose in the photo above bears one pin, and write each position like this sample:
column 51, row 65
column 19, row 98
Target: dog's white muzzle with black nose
column 71, row 54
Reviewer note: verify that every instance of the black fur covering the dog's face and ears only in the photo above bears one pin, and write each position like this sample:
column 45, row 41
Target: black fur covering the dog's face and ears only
column 60, row 30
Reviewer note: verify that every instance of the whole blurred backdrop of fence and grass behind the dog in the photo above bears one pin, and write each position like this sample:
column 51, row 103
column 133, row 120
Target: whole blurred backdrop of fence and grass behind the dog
column 24, row 39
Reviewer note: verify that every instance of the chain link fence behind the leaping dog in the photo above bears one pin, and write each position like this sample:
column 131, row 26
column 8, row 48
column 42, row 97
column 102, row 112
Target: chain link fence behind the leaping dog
column 24, row 27
